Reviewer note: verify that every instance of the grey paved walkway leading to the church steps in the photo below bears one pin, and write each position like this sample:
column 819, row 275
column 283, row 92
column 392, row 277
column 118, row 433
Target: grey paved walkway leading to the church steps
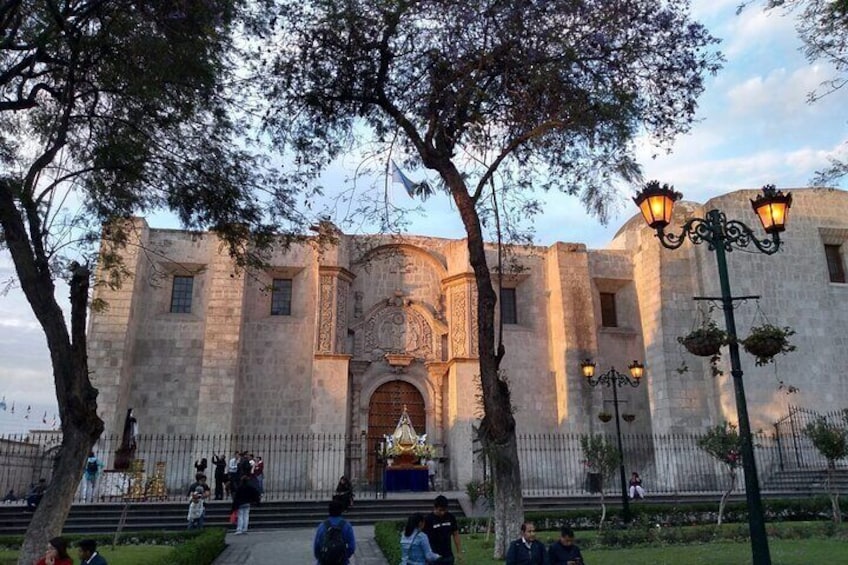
column 293, row 546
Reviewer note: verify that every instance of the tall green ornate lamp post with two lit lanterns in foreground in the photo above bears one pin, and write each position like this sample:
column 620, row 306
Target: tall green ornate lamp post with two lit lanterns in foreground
column 722, row 236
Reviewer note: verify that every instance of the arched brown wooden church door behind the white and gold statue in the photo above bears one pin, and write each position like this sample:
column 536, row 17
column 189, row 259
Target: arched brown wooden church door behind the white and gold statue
column 384, row 410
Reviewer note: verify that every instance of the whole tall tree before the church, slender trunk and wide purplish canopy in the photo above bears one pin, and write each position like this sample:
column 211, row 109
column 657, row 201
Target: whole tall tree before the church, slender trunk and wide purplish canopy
column 497, row 98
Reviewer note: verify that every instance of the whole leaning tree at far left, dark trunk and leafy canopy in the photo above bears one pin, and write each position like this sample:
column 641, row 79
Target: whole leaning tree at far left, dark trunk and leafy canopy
column 115, row 108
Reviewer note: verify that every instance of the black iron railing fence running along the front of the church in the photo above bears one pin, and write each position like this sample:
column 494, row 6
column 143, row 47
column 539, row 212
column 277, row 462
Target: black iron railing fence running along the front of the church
column 308, row 466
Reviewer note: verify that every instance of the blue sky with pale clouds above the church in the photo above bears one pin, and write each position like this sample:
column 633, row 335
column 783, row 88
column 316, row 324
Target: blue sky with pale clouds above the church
column 755, row 127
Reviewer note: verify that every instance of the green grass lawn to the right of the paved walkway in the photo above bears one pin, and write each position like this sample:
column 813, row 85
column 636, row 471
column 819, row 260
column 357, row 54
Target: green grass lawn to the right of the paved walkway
column 783, row 552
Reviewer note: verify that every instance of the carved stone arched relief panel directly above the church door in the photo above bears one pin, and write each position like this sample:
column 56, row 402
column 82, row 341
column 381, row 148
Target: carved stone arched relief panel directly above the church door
column 398, row 329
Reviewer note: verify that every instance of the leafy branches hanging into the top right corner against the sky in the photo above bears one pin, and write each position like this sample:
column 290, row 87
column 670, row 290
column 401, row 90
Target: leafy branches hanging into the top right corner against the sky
column 822, row 26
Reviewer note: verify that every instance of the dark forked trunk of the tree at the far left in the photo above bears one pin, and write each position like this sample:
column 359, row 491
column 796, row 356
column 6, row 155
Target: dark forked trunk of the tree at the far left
column 77, row 399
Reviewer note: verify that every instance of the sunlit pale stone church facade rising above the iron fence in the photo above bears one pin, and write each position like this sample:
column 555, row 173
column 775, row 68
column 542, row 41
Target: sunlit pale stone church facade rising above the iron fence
column 339, row 339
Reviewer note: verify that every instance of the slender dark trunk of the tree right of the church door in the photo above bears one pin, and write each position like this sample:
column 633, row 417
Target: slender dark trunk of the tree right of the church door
column 497, row 429
